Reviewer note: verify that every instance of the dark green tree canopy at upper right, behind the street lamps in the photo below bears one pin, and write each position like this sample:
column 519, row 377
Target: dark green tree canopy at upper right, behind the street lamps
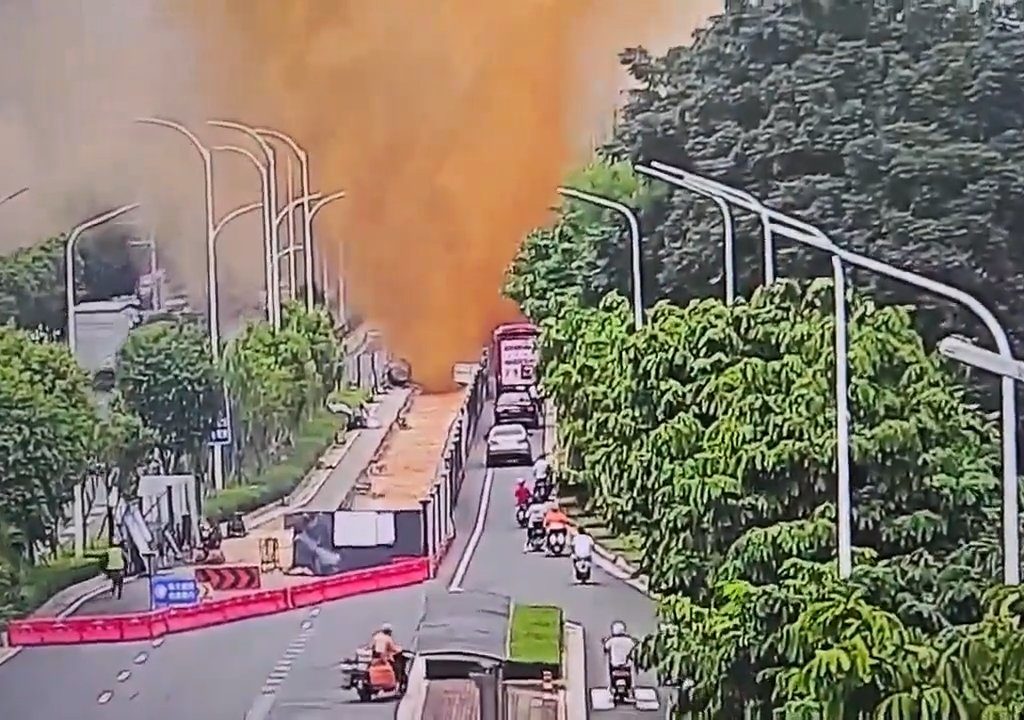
column 897, row 128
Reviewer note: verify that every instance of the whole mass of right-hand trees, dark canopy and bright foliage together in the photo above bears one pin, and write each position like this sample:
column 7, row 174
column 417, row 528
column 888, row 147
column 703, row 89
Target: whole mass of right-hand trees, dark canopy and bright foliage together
column 709, row 436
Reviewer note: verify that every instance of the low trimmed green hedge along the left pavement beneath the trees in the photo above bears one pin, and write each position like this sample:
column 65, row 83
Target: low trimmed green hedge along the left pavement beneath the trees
column 280, row 480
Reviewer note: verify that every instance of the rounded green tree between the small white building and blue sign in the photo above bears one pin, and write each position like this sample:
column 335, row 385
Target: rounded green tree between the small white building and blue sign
column 165, row 375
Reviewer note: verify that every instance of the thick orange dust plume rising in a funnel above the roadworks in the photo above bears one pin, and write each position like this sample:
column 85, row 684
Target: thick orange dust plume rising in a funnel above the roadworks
column 449, row 123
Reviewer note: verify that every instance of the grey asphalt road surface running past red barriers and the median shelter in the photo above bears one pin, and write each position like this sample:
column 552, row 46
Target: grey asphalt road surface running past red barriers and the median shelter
column 284, row 667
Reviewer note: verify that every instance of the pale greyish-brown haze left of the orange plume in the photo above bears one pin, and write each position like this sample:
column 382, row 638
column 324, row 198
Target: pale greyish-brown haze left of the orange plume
column 74, row 75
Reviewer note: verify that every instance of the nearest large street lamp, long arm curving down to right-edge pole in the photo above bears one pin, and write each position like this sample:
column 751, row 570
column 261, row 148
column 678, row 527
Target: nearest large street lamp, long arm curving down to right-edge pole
column 784, row 225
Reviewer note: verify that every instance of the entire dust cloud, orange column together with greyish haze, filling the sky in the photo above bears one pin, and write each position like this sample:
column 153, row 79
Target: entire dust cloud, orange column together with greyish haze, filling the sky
column 449, row 123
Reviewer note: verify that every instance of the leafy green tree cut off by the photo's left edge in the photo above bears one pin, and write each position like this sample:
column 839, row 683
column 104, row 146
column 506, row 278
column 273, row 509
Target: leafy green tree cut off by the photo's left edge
column 47, row 421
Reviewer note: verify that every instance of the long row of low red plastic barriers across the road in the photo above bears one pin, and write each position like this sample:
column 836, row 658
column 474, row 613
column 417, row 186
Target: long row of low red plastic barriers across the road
column 147, row 626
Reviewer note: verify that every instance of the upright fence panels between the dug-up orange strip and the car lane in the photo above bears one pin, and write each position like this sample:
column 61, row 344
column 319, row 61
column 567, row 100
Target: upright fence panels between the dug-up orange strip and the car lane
column 439, row 509
